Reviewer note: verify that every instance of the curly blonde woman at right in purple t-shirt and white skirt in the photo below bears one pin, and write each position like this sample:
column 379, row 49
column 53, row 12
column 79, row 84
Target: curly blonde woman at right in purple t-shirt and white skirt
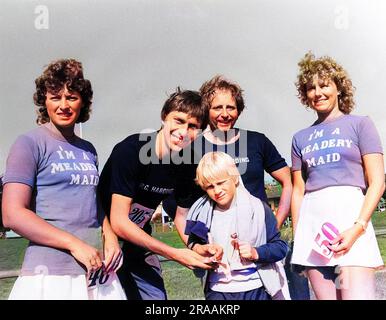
column 338, row 177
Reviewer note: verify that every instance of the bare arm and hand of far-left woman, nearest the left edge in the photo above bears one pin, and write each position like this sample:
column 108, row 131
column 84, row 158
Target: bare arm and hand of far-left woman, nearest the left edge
column 18, row 216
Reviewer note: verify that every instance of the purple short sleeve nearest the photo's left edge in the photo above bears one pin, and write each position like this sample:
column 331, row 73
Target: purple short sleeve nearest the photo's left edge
column 22, row 162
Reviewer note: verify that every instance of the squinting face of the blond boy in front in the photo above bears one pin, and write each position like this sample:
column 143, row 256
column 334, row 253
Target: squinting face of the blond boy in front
column 222, row 192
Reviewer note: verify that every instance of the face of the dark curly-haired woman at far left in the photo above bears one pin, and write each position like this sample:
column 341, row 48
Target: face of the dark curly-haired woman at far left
column 63, row 108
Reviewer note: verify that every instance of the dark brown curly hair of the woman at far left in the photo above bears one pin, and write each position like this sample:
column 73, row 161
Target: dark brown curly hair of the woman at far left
column 57, row 75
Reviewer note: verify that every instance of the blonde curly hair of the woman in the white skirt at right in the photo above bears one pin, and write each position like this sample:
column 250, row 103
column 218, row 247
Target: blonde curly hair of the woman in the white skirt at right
column 325, row 68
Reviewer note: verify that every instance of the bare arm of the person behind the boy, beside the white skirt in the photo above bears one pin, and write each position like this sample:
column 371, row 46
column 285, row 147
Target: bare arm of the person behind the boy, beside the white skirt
column 283, row 176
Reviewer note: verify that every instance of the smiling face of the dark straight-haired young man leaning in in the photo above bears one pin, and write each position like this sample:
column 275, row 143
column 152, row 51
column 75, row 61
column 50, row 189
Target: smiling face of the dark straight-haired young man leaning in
column 179, row 130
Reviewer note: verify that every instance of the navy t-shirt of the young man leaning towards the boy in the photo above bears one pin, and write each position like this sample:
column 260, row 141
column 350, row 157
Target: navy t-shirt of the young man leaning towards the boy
column 133, row 170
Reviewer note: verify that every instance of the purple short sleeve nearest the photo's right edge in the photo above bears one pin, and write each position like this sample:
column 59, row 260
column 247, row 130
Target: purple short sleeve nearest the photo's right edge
column 369, row 140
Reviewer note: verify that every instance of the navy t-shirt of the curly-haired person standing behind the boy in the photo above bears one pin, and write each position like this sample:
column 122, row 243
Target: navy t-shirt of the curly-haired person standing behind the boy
column 253, row 154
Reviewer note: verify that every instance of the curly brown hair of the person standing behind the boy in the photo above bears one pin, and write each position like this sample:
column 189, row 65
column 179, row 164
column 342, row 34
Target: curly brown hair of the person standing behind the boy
column 219, row 82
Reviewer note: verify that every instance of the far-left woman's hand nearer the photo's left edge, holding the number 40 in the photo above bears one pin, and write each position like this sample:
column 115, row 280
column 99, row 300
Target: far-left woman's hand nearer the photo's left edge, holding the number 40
column 86, row 254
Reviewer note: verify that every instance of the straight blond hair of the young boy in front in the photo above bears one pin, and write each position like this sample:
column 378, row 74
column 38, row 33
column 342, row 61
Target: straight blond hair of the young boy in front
column 216, row 166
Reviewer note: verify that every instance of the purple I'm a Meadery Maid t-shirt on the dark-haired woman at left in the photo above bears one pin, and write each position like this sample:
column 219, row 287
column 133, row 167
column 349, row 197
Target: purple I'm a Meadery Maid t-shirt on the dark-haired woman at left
column 63, row 175
